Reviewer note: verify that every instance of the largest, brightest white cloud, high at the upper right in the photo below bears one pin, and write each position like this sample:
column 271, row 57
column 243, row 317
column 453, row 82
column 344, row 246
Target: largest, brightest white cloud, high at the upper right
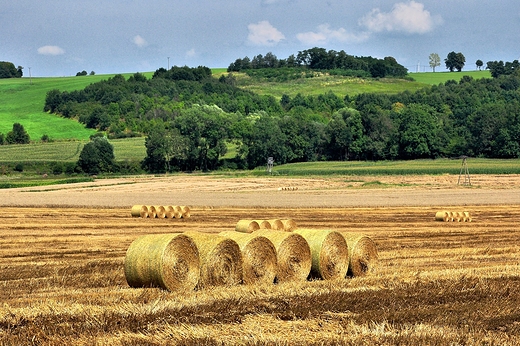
column 408, row 17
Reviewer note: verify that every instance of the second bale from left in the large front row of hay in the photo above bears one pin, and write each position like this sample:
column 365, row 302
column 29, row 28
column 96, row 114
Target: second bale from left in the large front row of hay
column 220, row 260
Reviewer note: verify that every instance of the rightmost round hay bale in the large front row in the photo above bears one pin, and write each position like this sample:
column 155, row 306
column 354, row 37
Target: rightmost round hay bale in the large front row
column 363, row 256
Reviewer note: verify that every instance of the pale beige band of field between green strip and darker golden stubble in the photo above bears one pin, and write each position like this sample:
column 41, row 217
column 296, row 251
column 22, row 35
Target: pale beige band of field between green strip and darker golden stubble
column 219, row 191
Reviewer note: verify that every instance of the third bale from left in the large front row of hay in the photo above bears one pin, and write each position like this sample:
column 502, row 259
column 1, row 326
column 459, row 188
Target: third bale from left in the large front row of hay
column 259, row 262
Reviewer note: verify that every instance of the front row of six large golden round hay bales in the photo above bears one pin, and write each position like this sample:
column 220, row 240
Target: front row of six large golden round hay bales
column 192, row 260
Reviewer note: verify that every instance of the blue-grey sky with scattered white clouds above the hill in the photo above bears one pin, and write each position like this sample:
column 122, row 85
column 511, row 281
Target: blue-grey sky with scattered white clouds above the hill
column 62, row 37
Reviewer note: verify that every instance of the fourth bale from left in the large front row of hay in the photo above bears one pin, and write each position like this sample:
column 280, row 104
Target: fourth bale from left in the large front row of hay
column 293, row 254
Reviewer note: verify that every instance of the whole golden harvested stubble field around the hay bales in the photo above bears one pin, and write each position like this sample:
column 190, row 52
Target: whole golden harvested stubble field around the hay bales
column 62, row 275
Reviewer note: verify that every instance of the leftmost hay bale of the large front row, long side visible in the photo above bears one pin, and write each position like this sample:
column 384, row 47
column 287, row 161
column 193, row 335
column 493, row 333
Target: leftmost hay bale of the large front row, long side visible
column 169, row 261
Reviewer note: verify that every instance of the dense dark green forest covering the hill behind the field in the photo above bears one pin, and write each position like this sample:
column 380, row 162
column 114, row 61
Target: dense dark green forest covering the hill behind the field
column 190, row 118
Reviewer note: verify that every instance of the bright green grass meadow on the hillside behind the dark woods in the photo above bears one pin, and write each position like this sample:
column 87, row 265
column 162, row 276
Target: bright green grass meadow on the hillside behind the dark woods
column 22, row 99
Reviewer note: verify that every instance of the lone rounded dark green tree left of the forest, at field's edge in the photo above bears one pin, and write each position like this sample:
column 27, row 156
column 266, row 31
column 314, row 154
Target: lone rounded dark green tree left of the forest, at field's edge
column 97, row 156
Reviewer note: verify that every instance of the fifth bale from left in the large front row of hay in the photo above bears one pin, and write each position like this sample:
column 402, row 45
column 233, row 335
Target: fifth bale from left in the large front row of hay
column 329, row 251
